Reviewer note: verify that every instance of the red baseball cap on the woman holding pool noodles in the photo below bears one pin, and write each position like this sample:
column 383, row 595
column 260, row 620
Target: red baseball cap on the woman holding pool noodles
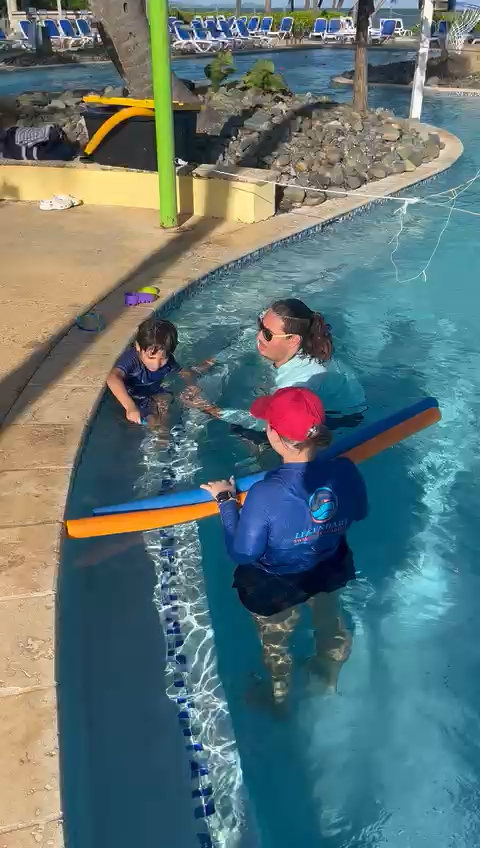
column 292, row 412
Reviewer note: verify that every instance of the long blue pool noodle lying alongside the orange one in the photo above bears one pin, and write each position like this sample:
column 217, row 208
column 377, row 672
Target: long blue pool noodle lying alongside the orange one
column 346, row 443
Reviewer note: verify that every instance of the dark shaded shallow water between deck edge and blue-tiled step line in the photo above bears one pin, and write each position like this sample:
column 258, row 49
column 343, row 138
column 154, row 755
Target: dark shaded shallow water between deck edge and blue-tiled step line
column 125, row 771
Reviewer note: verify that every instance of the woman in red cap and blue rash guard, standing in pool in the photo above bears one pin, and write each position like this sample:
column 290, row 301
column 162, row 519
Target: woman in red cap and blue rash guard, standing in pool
column 289, row 540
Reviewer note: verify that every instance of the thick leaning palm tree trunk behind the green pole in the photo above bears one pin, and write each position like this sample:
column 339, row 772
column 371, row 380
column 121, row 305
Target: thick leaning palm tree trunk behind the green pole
column 123, row 27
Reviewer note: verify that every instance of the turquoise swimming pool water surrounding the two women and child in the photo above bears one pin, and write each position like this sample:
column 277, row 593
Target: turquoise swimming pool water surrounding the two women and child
column 393, row 759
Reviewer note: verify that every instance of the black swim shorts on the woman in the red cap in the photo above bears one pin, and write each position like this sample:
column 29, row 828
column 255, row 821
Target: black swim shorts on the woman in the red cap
column 266, row 593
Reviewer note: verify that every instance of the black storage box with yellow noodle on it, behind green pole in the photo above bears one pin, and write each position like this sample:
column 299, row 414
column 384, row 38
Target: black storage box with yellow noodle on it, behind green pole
column 131, row 144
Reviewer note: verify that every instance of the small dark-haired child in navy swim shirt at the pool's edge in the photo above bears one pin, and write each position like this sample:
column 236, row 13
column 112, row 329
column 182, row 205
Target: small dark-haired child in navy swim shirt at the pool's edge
column 137, row 378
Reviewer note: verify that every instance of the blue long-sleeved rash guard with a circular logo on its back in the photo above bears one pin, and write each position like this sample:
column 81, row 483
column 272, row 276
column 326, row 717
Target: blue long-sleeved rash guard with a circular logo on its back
column 296, row 517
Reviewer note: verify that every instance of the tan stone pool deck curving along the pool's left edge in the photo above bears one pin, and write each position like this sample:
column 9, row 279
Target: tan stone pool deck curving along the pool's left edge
column 57, row 265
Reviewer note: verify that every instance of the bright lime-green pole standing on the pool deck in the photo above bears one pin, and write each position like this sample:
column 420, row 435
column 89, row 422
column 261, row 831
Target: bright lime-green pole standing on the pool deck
column 162, row 95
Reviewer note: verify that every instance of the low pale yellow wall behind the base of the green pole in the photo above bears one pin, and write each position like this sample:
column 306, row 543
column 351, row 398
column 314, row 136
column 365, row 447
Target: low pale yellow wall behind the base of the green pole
column 229, row 200
